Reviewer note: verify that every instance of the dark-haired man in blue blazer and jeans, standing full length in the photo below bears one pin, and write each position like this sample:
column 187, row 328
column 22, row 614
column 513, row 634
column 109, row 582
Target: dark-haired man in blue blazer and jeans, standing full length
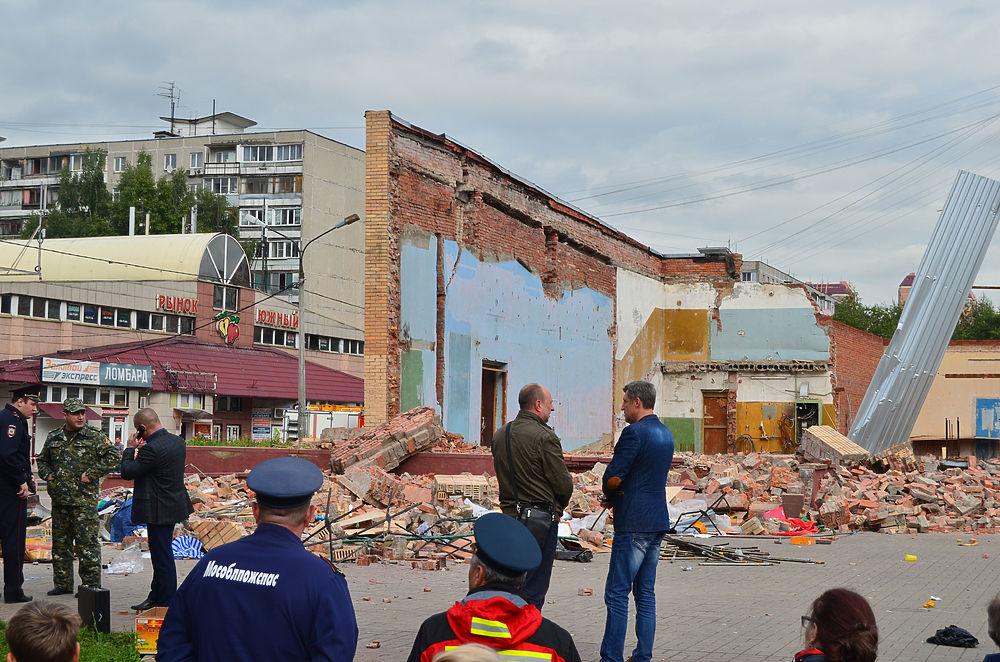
column 635, row 487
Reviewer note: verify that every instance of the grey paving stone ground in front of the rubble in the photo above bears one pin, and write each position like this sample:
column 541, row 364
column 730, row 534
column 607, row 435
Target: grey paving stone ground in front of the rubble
column 708, row 613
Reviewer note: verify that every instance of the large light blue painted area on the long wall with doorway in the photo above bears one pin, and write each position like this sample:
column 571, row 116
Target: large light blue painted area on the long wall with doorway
column 497, row 311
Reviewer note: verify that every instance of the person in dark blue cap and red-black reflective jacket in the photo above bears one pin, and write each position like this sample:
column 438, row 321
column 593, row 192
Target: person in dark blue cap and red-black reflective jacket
column 494, row 613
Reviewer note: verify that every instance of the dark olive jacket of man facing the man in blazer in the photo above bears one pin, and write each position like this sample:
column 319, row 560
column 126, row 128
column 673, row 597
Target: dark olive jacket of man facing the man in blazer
column 539, row 467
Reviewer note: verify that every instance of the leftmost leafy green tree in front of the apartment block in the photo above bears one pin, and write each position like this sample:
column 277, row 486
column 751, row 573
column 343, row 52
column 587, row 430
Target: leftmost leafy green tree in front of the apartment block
column 83, row 208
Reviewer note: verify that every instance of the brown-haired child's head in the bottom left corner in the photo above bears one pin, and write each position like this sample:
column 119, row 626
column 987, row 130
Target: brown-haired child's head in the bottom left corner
column 43, row 632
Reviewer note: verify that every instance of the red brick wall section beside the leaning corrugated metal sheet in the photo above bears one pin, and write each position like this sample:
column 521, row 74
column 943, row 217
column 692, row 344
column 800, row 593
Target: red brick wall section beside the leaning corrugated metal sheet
column 855, row 355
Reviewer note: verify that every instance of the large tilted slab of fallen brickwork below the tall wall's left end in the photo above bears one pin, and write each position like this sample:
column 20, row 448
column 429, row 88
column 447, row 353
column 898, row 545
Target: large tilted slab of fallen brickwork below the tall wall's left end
column 387, row 445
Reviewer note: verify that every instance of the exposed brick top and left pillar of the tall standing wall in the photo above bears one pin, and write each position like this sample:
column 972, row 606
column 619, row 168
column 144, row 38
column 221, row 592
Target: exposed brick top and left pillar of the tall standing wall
column 416, row 179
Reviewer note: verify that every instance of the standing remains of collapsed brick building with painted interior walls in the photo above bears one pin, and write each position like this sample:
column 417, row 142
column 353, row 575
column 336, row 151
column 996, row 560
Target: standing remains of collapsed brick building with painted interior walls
column 478, row 282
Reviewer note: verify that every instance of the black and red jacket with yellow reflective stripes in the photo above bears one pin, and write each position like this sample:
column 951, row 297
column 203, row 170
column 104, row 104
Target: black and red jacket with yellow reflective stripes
column 498, row 620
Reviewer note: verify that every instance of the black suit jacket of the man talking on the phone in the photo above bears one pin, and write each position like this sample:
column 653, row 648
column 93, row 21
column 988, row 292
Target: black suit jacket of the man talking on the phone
column 158, row 471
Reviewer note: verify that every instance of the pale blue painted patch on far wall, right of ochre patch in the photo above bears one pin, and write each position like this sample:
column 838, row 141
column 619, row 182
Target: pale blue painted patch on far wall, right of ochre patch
column 777, row 334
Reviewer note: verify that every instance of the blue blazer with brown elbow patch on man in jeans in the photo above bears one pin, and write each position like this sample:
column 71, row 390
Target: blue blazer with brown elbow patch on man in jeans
column 642, row 459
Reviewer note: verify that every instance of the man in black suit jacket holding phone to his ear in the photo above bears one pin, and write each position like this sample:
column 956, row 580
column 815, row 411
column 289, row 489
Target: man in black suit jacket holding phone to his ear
column 155, row 460
